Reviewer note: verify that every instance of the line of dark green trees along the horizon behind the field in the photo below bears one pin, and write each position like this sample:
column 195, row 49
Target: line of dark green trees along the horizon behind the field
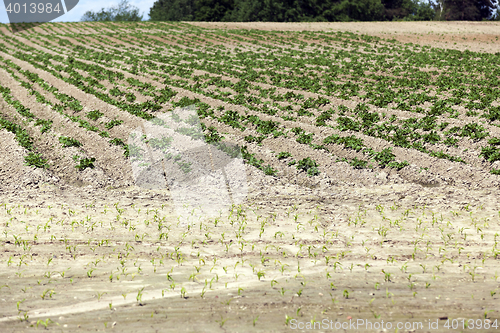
column 303, row 11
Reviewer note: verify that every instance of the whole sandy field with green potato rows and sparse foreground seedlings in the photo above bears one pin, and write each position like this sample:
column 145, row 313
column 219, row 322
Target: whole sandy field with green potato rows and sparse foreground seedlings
column 371, row 157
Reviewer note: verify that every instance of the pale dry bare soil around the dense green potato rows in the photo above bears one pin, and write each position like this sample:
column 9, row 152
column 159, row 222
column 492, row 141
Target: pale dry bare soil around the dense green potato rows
column 361, row 250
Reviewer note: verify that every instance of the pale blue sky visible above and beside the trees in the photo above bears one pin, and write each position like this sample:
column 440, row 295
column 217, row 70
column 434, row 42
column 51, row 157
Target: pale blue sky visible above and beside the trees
column 76, row 13
